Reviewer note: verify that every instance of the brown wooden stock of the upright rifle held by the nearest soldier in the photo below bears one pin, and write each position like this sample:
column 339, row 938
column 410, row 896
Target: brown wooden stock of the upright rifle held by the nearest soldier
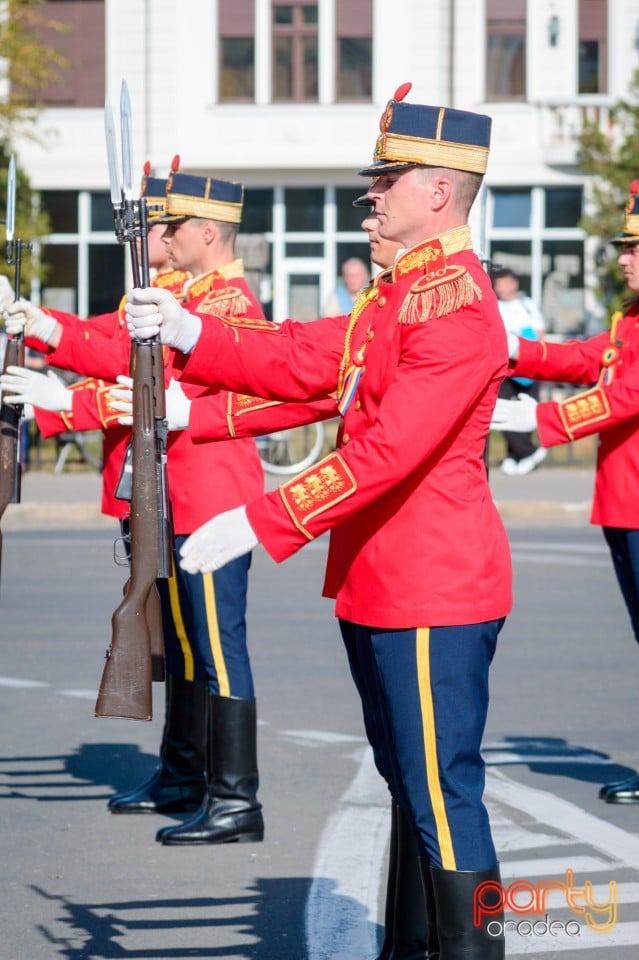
column 126, row 686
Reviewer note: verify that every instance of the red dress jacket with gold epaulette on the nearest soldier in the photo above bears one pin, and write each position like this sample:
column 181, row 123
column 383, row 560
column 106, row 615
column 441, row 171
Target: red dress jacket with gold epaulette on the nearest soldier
column 416, row 539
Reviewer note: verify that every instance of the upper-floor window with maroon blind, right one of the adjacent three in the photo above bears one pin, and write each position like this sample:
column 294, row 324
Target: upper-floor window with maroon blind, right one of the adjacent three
column 354, row 54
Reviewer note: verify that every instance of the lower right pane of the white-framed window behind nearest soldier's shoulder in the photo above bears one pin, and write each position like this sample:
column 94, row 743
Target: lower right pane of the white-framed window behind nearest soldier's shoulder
column 563, row 286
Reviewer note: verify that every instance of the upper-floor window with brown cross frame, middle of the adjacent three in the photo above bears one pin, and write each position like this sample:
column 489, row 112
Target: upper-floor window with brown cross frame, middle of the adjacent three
column 295, row 51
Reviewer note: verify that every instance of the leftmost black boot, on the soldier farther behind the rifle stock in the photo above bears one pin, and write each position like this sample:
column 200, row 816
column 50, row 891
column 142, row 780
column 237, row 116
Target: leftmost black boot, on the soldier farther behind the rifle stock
column 178, row 784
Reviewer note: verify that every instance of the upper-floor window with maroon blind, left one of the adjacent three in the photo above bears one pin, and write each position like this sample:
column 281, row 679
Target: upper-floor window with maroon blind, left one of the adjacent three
column 237, row 49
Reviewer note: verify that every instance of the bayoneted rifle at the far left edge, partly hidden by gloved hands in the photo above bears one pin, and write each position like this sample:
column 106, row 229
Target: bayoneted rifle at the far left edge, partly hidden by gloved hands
column 10, row 416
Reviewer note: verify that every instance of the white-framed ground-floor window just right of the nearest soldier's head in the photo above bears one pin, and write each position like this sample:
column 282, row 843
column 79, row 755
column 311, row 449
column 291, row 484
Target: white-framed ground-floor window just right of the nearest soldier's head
column 534, row 232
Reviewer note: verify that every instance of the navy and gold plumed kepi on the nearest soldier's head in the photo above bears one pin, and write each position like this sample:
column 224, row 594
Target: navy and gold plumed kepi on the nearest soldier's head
column 414, row 134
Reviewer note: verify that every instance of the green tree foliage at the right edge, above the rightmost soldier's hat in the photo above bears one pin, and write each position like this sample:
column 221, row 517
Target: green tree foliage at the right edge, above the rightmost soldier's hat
column 612, row 157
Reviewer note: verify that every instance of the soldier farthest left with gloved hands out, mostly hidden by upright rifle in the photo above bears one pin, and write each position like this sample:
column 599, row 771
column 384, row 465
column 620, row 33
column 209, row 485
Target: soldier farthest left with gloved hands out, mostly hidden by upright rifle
column 178, row 784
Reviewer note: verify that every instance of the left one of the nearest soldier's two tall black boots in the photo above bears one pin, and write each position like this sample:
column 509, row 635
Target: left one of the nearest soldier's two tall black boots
column 410, row 931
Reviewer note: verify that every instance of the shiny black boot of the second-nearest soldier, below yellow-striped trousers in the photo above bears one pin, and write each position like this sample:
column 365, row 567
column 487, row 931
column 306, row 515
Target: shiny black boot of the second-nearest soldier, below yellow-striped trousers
column 230, row 811
